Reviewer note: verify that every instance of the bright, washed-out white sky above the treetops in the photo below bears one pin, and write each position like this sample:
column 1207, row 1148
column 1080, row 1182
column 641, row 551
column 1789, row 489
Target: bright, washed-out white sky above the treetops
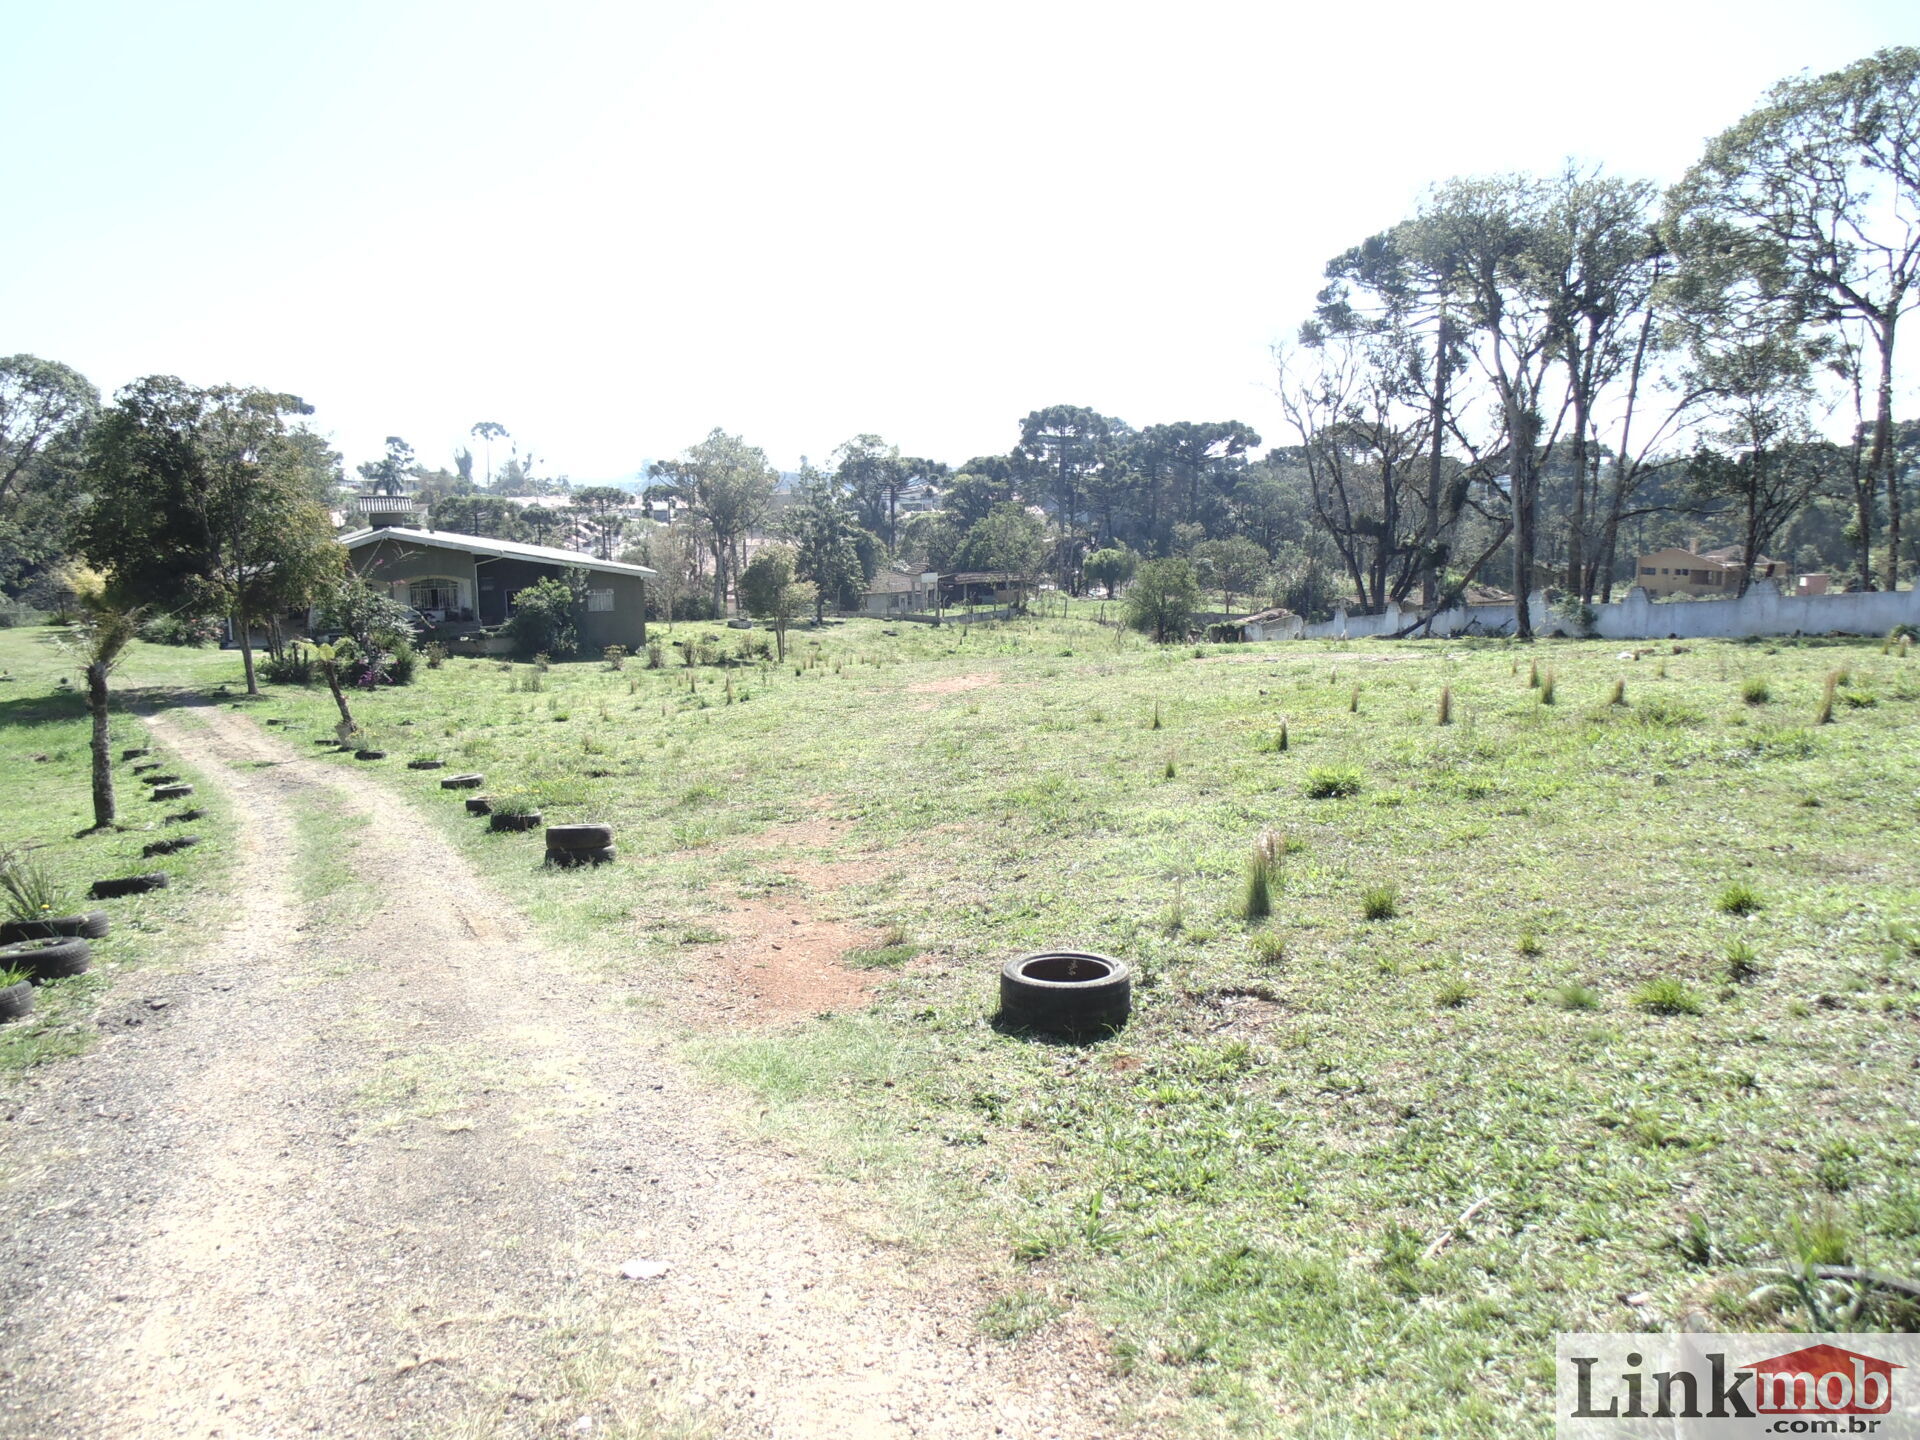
column 613, row 228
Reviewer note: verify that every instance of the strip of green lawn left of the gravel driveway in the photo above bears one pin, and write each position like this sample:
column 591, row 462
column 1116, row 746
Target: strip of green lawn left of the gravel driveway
column 49, row 821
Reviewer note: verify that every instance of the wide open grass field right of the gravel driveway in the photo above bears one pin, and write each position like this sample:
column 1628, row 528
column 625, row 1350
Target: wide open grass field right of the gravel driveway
column 1570, row 1013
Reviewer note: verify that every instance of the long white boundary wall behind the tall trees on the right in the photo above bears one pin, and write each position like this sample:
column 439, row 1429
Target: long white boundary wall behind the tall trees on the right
column 1762, row 612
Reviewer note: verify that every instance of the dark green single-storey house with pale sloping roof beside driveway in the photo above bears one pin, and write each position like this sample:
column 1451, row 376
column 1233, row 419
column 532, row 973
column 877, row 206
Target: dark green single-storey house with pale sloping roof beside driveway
column 466, row 585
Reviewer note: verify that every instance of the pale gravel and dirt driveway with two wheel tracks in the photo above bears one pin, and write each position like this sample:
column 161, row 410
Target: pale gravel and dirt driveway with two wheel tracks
column 377, row 1176
